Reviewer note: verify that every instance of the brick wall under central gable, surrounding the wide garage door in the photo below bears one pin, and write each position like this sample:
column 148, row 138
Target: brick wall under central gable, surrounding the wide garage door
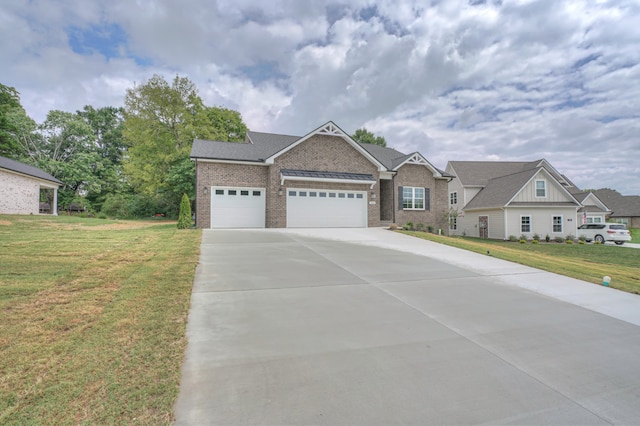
column 320, row 153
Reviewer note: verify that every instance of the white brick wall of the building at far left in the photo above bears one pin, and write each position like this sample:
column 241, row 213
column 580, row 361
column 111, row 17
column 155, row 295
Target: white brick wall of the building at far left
column 18, row 194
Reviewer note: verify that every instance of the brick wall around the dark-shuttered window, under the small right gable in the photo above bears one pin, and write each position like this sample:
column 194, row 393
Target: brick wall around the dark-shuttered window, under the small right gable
column 420, row 176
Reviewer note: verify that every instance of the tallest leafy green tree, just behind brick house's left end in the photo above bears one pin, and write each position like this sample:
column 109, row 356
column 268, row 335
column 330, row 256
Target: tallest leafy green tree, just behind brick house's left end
column 161, row 121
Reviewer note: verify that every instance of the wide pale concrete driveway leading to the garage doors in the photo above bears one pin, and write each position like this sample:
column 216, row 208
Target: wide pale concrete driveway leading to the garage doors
column 366, row 327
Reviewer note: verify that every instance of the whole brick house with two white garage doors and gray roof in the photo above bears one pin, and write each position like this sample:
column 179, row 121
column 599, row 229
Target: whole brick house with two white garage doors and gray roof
column 322, row 179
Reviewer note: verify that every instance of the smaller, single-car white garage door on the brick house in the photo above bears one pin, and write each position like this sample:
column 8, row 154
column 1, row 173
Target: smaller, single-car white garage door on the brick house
column 237, row 207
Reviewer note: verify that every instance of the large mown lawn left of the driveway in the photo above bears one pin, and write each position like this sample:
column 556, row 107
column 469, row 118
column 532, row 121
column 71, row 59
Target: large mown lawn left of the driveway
column 93, row 319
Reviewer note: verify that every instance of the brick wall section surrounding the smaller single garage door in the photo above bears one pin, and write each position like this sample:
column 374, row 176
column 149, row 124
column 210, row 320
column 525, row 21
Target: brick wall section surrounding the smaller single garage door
column 222, row 174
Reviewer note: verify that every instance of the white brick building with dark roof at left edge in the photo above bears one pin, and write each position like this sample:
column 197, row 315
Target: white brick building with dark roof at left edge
column 20, row 188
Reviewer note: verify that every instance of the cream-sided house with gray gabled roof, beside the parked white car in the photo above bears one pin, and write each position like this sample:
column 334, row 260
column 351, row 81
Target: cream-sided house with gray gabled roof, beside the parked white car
column 499, row 199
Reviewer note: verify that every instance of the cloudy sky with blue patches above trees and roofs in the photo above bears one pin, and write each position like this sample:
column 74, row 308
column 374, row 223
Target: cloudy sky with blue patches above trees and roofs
column 453, row 79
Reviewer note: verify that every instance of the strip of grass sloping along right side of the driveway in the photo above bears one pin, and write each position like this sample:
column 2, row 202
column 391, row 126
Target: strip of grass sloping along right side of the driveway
column 588, row 262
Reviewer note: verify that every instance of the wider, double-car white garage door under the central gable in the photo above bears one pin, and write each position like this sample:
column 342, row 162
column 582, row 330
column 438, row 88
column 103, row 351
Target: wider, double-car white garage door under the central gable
column 321, row 208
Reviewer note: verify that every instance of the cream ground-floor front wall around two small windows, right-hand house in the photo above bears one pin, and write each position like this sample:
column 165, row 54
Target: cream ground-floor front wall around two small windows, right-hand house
column 542, row 221
